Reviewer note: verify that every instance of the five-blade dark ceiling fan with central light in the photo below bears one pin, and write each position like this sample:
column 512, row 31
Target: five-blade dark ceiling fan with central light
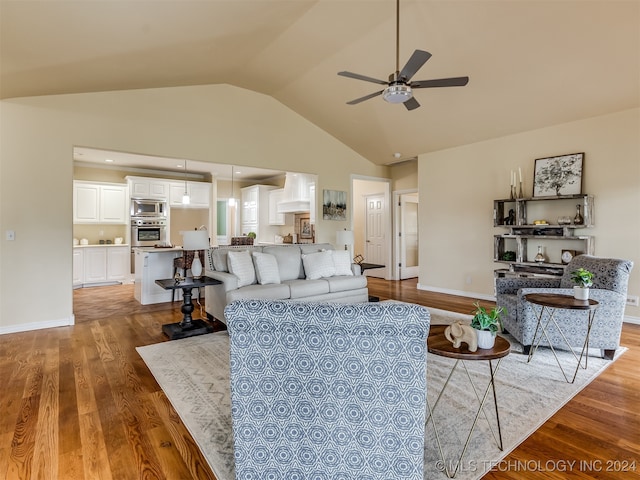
column 400, row 87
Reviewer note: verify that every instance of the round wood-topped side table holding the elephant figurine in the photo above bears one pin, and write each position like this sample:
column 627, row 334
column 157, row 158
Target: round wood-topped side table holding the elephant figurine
column 438, row 344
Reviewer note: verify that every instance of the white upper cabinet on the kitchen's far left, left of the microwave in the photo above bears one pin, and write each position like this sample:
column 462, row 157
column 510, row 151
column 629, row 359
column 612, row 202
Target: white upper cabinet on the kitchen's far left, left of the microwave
column 99, row 203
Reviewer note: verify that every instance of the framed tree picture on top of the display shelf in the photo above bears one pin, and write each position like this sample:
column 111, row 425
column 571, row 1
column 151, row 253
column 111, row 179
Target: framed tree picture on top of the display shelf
column 557, row 176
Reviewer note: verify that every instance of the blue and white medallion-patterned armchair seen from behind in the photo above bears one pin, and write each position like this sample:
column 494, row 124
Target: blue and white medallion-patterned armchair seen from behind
column 335, row 391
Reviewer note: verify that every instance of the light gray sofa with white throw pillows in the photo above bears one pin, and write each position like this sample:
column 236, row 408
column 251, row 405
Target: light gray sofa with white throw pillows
column 302, row 272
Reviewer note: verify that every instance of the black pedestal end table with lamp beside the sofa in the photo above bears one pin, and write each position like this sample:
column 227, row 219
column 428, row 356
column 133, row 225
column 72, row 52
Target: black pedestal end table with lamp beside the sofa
column 187, row 327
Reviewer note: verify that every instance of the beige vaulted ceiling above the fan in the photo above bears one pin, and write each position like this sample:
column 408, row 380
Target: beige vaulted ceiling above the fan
column 531, row 63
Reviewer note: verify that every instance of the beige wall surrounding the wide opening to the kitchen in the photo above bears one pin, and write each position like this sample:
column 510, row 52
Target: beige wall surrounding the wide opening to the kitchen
column 213, row 123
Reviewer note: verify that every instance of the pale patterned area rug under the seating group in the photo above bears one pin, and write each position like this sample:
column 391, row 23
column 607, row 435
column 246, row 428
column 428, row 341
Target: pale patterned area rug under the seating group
column 194, row 375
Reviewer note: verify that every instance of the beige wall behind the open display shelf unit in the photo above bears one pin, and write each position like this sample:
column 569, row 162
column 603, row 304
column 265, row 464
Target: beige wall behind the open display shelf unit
column 458, row 186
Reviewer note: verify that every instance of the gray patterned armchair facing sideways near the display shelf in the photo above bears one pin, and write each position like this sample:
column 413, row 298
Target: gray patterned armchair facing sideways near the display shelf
column 611, row 277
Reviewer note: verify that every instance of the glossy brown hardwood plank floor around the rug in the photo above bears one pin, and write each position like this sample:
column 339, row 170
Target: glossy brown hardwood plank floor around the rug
column 79, row 403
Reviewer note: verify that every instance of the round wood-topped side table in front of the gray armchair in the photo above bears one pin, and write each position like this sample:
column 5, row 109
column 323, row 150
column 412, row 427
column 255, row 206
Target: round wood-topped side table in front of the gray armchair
column 550, row 303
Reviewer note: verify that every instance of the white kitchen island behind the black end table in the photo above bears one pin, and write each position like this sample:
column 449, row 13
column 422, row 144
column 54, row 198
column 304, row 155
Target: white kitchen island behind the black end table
column 153, row 264
